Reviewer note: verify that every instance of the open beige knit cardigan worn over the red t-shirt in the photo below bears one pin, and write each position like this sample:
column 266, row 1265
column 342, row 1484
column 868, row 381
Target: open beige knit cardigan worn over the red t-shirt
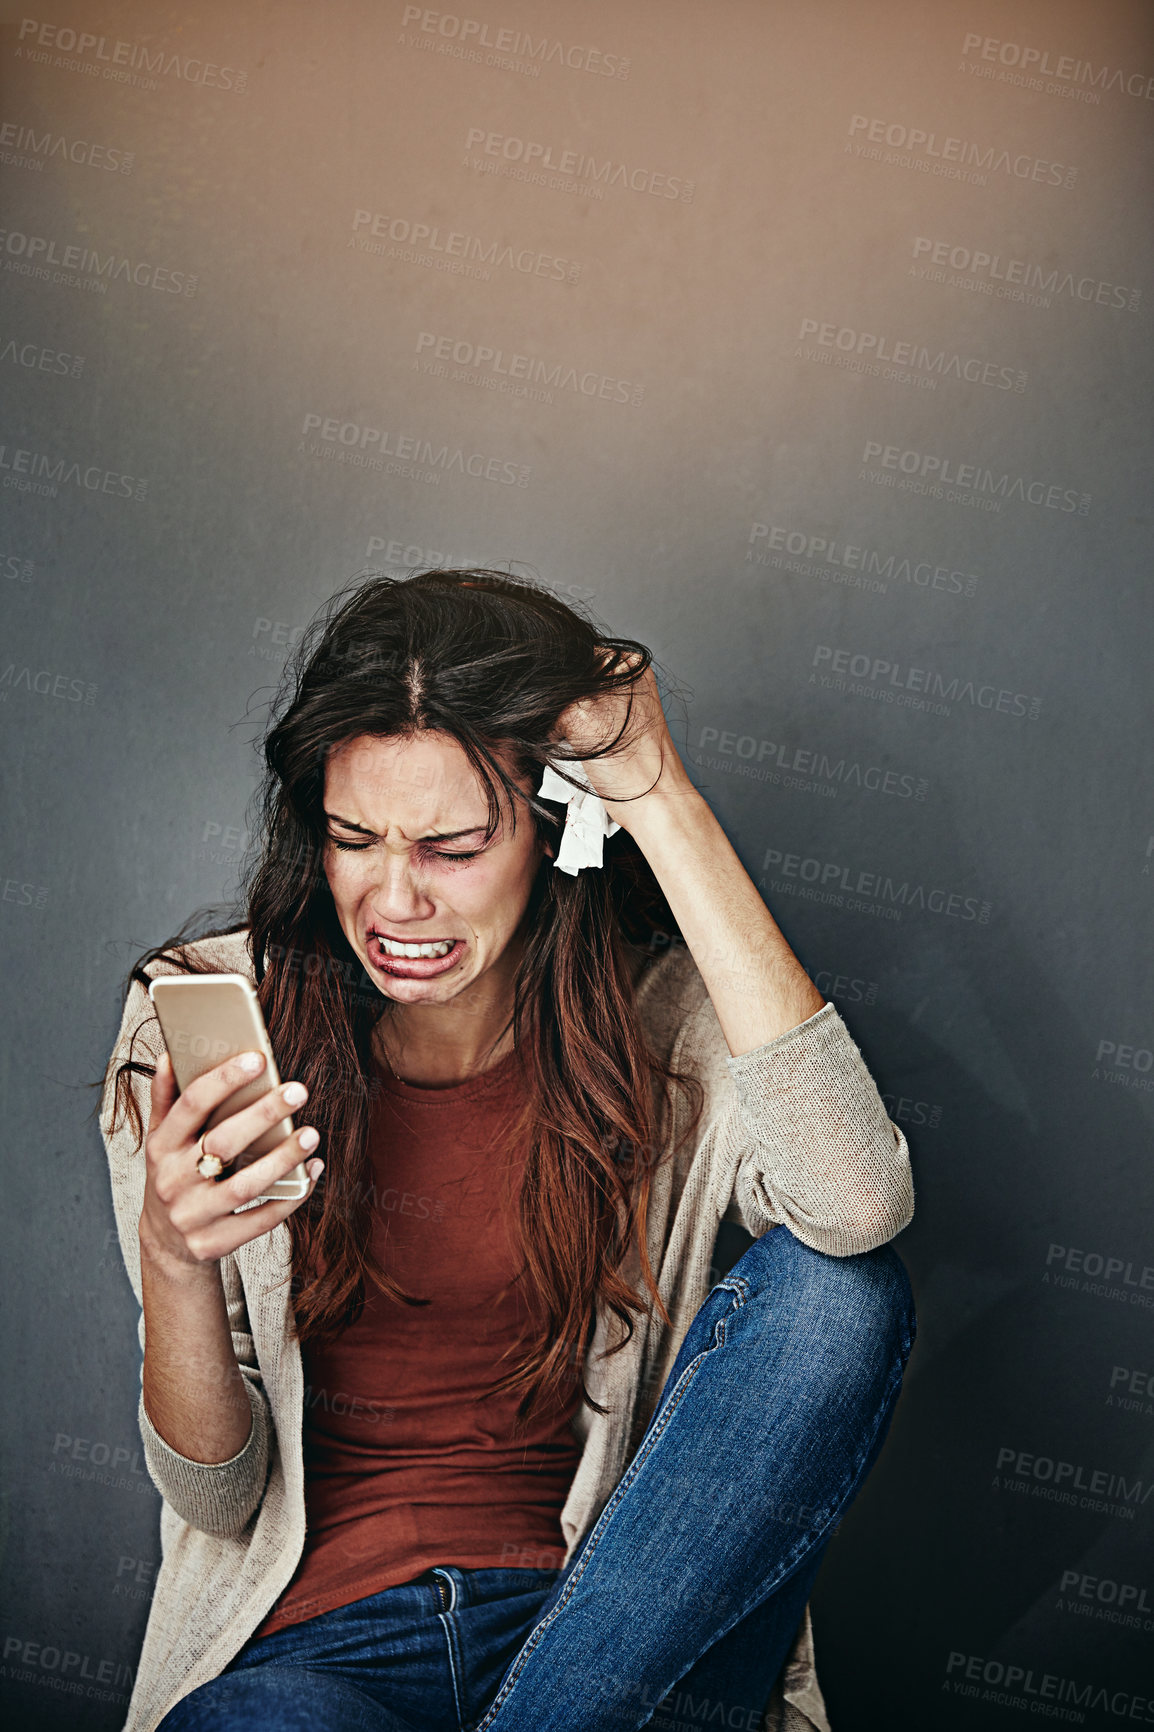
column 791, row 1134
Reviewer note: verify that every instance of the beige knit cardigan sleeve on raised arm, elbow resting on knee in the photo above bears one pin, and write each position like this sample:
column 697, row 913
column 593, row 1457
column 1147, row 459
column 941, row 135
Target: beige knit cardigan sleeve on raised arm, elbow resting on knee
column 800, row 1135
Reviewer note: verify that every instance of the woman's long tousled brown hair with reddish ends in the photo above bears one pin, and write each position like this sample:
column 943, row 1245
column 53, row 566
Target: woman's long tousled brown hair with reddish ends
column 489, row 661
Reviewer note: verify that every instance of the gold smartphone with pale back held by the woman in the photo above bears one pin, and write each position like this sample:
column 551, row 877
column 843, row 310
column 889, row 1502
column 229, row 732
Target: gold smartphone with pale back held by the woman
column 207, row 1019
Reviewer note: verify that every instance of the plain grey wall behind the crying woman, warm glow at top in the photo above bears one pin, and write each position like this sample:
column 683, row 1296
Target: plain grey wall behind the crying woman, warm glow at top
column 838, row 377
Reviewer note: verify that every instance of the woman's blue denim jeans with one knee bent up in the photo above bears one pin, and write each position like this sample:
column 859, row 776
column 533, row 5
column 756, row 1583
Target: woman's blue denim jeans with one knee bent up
column 684, row 1600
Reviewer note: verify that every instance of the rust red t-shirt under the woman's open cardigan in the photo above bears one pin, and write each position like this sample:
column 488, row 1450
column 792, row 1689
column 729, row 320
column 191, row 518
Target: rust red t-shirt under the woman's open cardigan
column 410, row 1457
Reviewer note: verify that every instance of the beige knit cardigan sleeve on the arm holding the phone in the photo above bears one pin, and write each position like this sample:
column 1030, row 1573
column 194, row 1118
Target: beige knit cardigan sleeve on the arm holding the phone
column 216, row 1497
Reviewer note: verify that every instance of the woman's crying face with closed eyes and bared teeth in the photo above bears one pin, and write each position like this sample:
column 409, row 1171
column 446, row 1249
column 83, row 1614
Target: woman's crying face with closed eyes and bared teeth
column 408, row 865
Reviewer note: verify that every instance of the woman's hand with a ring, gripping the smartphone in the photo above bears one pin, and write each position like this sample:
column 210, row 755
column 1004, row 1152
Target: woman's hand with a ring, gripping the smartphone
column 186, row 1218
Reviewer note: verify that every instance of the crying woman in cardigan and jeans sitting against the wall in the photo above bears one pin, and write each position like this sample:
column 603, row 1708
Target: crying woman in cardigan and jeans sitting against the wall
column 465, row 1438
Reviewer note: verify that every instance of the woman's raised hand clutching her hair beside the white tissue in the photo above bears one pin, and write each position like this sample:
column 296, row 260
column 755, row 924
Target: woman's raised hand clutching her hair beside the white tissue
column 644, row 763
